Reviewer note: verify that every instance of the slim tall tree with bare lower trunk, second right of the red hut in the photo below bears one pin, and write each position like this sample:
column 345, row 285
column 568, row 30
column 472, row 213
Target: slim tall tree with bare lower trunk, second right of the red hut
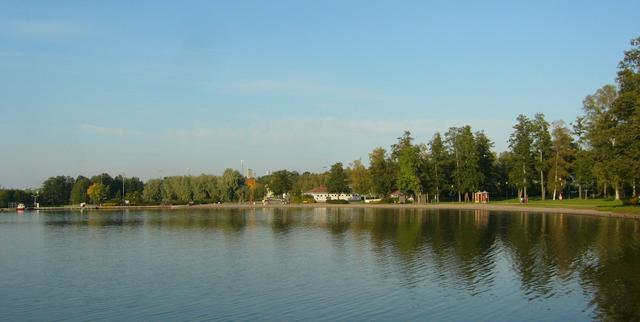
column 541, row 146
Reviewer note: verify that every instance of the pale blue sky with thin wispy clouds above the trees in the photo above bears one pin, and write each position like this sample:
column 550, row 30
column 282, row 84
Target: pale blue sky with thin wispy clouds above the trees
column 152, row 89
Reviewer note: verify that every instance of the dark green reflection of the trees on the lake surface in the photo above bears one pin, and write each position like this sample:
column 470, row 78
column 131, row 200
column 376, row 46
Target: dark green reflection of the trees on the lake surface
column 462, row 246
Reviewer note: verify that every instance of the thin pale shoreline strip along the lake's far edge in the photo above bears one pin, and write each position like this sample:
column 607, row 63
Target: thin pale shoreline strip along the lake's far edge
column 448, row 206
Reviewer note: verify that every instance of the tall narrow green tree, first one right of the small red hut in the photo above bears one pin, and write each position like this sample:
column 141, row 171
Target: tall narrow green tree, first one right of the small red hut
column 520, row 143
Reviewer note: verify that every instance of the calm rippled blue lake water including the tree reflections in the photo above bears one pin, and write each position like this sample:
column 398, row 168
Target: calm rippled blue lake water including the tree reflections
column 317, row 264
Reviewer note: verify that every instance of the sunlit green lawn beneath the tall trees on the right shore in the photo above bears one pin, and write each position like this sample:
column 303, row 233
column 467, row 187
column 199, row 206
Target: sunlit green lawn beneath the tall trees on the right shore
column 596, row 204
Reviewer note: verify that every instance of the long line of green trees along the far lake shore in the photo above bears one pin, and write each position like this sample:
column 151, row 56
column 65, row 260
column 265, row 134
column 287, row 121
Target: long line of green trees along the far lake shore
column 597, row 155
